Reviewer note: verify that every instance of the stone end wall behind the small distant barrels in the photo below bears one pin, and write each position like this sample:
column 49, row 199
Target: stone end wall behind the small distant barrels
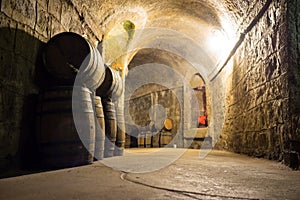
column 155, row 107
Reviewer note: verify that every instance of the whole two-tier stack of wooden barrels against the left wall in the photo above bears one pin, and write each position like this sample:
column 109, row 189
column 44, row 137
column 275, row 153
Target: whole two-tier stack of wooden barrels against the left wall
column 76, row 119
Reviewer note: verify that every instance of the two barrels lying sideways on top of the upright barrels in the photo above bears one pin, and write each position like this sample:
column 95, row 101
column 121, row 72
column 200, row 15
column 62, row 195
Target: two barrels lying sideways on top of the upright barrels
column 72, row 60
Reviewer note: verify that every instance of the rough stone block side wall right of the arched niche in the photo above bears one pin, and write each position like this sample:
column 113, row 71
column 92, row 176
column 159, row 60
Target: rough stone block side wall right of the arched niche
column 257, row 102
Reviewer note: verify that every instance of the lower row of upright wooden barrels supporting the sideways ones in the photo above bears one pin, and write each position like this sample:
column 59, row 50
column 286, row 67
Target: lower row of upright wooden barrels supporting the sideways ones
column 77, row 130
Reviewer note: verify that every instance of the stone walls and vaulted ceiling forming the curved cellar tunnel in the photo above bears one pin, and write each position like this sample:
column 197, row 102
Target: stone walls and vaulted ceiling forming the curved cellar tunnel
column 246, row 53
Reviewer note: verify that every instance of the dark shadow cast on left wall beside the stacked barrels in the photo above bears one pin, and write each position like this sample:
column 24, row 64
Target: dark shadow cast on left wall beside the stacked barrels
column 22, row 76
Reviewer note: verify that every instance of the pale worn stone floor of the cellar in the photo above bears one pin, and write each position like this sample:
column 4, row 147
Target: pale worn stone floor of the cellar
column 161, row 174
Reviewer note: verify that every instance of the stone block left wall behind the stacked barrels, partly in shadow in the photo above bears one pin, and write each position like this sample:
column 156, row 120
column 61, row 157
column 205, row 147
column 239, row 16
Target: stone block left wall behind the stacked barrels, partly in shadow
column 25, row 26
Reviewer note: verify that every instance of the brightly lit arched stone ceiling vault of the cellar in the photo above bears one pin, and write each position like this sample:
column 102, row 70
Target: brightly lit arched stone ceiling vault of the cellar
column 198, row 20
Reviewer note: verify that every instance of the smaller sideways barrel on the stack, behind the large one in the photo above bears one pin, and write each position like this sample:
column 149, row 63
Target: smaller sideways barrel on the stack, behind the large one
column 112, row 84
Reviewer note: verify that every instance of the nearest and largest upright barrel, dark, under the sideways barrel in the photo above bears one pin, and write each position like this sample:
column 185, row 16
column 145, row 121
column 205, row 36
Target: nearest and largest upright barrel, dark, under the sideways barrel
column 59, row 143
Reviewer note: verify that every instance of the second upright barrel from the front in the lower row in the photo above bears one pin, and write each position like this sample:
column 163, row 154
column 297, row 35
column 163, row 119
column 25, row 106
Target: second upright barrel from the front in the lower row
column 100, row 129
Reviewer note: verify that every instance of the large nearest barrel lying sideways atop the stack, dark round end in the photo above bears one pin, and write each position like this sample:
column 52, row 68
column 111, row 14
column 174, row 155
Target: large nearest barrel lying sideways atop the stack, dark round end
column 67, row 54
